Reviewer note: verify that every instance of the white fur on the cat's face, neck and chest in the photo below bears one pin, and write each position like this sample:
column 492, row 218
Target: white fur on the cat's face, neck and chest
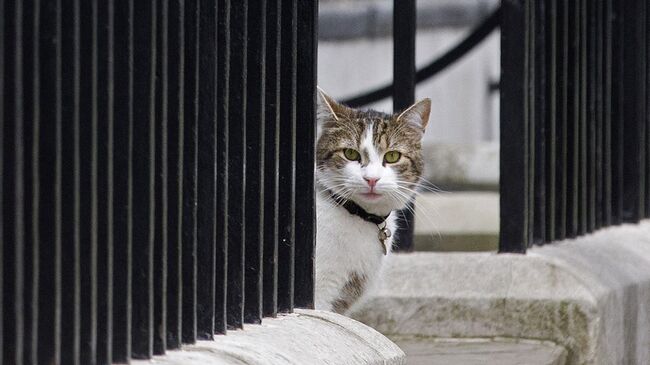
column 345, row 243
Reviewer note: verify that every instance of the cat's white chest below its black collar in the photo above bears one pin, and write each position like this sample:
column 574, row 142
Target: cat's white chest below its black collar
column 345, row 245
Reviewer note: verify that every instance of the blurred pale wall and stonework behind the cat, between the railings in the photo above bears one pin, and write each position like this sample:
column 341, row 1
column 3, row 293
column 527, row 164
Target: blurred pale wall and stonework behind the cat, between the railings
column 461, row 144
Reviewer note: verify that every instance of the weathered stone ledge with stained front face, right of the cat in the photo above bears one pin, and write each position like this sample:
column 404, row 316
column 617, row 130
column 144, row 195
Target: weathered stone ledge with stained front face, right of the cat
column 590, row 295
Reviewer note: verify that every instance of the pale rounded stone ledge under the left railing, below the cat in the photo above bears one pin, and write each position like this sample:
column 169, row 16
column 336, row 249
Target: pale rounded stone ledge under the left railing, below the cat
column 304, row 337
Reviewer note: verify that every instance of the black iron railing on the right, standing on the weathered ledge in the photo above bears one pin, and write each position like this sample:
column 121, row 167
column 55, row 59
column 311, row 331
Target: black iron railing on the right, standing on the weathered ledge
column 574, row 118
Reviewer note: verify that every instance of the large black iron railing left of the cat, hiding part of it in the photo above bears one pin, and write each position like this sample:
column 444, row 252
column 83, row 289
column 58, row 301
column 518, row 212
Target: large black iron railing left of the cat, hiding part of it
column 152, row 173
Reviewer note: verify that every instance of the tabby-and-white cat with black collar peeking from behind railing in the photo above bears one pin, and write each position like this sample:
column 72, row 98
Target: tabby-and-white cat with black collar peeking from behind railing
column 368, row 166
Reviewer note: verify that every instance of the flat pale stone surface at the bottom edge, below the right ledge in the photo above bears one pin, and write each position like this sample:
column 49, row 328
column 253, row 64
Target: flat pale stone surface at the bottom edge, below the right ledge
column 422, row 351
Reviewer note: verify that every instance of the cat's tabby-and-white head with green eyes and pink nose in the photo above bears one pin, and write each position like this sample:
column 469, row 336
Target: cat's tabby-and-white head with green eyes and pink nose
column 369, row 157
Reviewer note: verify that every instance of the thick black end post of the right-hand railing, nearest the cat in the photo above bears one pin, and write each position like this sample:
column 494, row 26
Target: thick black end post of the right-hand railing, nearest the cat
column 513, row 234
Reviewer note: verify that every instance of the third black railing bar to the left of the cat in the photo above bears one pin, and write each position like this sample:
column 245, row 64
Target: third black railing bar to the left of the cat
column 271, row 155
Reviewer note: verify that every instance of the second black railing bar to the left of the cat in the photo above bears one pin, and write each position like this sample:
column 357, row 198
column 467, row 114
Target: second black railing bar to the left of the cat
column 286, row 217
